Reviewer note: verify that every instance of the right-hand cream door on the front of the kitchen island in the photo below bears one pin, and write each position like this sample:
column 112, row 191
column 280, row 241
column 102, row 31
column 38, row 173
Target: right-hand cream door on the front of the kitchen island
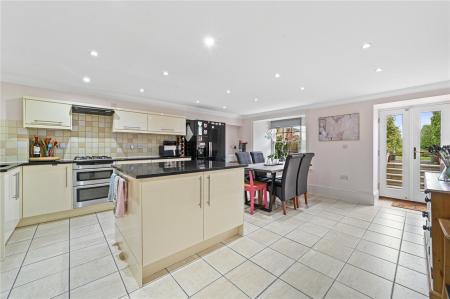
column 223, row 191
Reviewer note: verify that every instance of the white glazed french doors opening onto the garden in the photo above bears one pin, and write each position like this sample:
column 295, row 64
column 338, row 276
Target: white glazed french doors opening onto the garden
column 405, row 135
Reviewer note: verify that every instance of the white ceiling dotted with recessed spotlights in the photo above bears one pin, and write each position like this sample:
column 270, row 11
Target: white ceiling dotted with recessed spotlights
column 312, row 44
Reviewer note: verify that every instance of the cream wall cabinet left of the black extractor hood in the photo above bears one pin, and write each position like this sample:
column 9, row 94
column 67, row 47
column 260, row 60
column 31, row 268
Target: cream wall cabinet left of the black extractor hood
column 41, row 113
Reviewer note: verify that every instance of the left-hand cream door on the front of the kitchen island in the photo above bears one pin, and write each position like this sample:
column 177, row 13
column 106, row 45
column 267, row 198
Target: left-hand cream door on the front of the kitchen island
column 173, row 215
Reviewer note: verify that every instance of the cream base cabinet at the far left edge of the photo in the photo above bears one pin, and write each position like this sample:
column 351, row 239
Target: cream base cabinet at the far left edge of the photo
column 11, row 204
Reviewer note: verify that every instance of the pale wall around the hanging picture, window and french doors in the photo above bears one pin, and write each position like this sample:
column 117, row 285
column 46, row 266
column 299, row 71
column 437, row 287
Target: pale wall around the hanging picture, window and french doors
column 337, row 159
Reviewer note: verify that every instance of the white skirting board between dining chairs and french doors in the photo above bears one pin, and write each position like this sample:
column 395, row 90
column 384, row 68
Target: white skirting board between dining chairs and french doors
column 351, row 196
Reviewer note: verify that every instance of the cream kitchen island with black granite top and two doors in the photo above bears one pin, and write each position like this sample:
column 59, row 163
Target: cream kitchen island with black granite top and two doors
column 177, row 209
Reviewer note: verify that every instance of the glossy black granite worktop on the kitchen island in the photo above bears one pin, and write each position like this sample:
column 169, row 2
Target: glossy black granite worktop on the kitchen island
column 149, row 170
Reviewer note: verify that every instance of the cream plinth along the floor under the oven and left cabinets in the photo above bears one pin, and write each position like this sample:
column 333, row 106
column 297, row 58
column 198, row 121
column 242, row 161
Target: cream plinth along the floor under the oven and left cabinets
column 66, row 214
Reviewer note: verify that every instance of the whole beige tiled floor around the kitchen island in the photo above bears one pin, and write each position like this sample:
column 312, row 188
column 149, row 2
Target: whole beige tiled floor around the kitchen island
column 331, row 249
